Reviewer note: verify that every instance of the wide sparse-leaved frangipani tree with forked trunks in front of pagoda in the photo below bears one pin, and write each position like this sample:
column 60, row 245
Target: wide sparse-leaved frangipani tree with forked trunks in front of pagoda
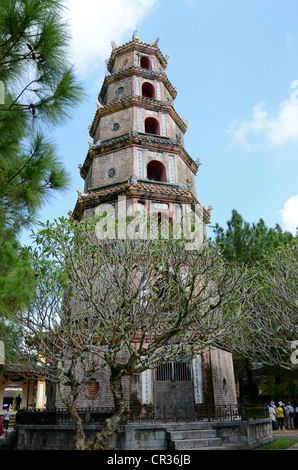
column 128, row 305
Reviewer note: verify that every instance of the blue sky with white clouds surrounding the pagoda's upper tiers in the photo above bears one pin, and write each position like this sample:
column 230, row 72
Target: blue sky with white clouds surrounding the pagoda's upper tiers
column 235, row 65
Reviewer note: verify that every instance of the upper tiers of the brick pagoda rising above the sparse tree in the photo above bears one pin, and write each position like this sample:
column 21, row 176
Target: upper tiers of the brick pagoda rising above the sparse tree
column 136, row 144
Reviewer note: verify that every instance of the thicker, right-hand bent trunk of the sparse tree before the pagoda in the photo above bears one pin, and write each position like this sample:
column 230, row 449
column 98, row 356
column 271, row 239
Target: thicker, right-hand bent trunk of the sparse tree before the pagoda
column 111, row 425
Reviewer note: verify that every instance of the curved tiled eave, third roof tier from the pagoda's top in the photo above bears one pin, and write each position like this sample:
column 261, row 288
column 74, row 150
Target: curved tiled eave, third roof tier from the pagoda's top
column 137, row 101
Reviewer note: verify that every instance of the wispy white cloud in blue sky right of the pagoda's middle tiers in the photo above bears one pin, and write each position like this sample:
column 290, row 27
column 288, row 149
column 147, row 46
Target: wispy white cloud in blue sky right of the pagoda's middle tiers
column 276, row 130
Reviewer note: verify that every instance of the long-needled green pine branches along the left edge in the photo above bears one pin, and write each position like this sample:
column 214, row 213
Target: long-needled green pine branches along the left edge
column 41, row 89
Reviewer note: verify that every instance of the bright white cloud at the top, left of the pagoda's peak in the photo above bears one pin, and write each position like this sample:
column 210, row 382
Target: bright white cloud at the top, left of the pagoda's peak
column 94, row 23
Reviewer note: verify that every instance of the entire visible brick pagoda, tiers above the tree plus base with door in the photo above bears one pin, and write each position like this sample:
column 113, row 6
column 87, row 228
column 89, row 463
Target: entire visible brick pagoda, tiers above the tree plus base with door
column 136, row 152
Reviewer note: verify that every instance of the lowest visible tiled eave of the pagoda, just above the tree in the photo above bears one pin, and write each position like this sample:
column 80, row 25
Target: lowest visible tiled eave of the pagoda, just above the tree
column 135, row 188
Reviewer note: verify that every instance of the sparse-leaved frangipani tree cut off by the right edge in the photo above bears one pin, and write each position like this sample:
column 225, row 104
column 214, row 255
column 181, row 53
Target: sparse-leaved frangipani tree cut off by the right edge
column 272, row 326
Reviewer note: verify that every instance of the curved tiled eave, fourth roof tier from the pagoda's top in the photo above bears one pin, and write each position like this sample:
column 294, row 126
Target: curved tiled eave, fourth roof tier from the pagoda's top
column 137, row 138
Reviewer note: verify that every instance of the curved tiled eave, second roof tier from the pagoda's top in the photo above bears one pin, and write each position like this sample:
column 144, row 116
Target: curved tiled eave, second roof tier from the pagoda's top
column 134, row 70
